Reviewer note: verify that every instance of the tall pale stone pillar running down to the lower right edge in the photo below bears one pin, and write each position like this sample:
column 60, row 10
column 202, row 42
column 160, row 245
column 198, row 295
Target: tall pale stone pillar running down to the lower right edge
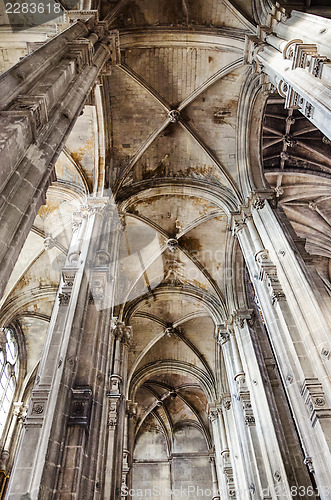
column 296, row 324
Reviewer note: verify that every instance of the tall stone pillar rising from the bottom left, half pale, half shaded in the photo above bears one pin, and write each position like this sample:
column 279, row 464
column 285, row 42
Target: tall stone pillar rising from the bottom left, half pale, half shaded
column 62, row 445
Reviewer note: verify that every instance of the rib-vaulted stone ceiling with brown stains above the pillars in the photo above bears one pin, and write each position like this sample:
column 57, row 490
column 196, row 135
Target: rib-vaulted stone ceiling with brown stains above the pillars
column 161, row 134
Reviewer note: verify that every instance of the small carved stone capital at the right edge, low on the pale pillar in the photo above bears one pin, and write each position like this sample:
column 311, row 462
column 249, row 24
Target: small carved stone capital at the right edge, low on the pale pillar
column 314, row 397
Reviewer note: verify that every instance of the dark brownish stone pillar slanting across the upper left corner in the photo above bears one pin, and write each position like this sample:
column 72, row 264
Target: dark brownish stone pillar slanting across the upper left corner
column 41, row 97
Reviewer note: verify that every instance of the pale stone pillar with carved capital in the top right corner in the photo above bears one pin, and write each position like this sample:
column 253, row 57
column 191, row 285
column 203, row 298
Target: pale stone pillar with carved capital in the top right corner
column 299, row 70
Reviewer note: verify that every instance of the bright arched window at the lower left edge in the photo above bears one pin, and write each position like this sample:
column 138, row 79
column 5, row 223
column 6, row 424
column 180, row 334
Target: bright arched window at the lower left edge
column 8, row 373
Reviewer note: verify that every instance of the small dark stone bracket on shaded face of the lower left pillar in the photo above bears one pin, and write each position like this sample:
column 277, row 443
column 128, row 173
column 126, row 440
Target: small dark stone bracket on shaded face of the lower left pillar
column 80, row 406
